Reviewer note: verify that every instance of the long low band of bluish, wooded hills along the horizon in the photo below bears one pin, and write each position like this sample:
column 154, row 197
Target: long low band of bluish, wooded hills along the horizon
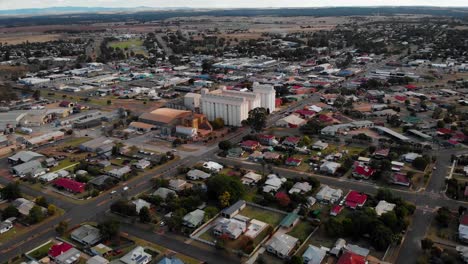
column 83, row 15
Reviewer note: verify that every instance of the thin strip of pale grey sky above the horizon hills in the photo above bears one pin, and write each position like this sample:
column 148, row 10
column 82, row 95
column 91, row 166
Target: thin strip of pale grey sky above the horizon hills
column 20, row 4
